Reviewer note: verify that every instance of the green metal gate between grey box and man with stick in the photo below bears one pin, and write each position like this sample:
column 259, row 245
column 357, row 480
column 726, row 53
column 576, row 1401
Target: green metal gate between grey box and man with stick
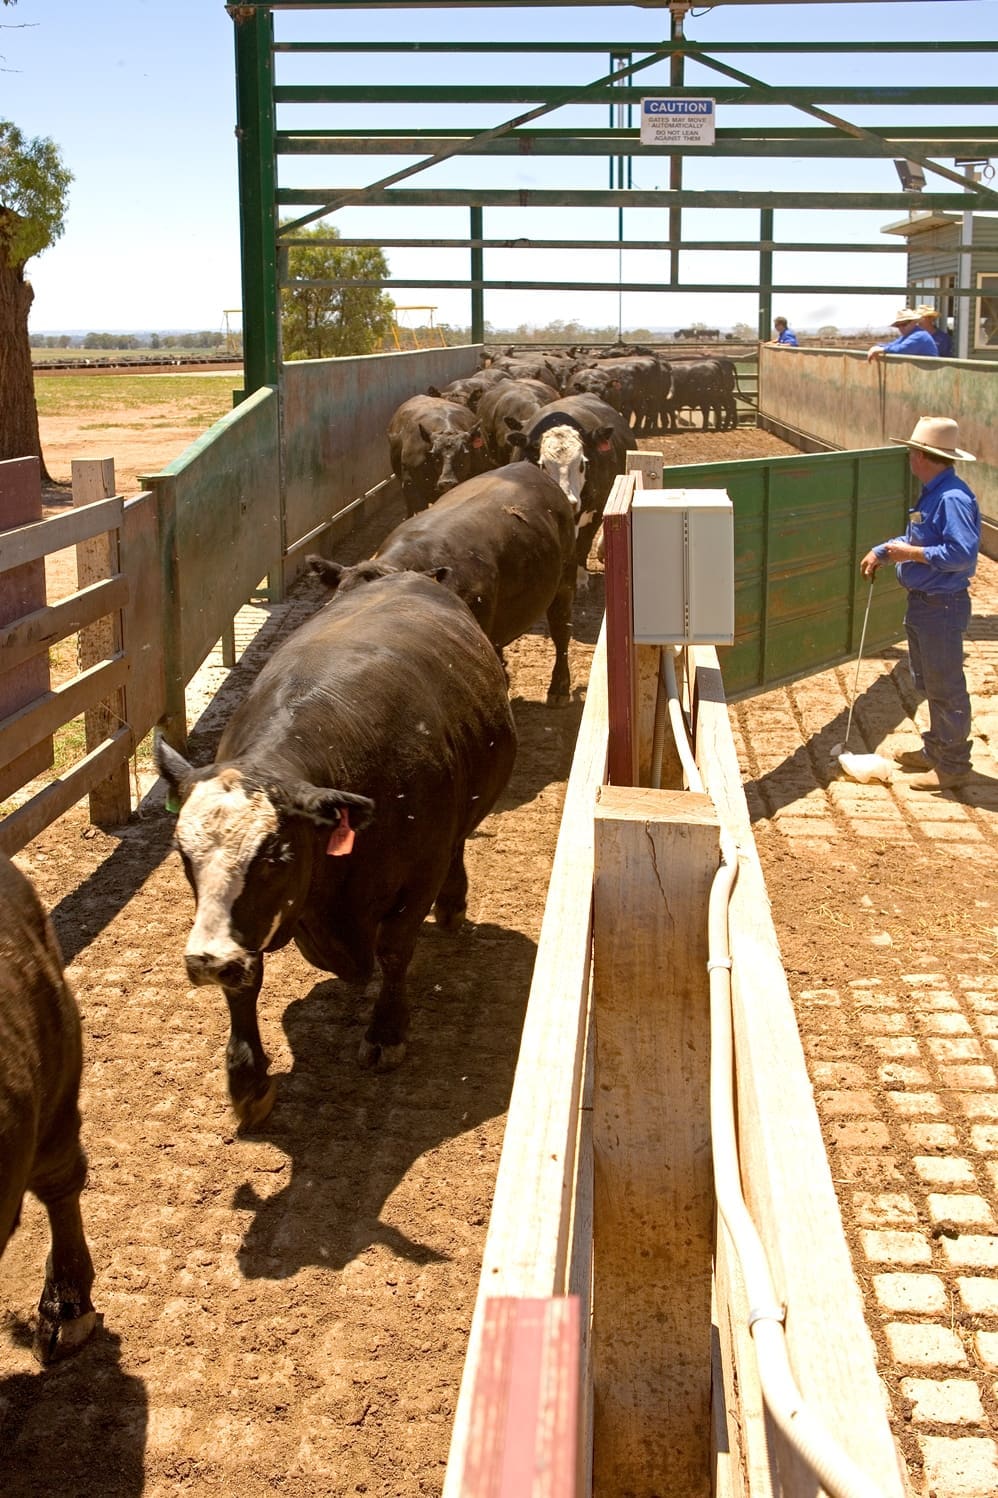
column 801, row 527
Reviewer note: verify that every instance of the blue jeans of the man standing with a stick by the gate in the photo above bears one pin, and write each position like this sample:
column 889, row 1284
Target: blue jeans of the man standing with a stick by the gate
column 936, row 625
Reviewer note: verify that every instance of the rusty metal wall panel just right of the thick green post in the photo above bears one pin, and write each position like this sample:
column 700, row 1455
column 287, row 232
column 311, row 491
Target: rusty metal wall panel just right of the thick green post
column 335, row 419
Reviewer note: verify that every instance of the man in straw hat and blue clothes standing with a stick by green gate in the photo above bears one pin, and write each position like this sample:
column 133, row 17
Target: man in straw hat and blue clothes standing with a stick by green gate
column 936, row 560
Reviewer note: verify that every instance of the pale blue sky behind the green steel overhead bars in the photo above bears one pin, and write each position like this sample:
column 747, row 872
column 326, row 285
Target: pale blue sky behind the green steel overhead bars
column 140, row 98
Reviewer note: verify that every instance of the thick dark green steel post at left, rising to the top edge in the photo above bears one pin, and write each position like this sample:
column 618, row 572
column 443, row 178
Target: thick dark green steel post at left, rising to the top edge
column 258, row 210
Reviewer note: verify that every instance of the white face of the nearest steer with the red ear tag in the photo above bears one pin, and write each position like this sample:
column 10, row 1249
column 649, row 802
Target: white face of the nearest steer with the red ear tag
column 221, row 831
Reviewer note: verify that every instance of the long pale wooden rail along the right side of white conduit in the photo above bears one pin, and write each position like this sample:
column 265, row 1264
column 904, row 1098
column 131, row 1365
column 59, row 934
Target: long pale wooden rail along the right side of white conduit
column 784, row 1165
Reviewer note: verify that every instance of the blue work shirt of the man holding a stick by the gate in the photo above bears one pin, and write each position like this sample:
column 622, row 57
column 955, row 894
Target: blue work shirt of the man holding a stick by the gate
column 946, row 522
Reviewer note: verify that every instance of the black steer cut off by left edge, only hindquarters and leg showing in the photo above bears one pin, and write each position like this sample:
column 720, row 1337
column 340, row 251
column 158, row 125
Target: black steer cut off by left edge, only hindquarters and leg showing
column 41, row 1058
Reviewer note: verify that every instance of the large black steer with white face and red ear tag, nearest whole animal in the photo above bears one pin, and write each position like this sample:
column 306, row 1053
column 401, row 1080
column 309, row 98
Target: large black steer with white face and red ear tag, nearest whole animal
column 368, row 750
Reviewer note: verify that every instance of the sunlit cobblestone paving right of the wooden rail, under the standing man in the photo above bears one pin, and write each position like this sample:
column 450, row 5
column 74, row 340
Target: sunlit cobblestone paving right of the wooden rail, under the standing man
column 903, row 1055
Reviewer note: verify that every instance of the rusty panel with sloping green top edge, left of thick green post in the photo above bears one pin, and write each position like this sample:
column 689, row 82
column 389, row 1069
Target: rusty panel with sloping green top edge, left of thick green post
column 220, row 512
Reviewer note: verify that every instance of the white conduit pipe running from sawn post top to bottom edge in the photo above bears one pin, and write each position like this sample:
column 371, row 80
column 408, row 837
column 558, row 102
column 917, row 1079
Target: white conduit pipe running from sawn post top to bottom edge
column 834, row 1469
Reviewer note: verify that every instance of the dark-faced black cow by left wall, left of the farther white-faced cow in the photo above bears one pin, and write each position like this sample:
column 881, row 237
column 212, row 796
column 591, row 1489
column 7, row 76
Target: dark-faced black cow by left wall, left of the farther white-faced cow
column 435, row 444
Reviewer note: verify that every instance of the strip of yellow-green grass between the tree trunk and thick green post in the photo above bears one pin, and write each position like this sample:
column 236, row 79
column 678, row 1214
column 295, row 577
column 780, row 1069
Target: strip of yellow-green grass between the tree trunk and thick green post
column 191, row 398
